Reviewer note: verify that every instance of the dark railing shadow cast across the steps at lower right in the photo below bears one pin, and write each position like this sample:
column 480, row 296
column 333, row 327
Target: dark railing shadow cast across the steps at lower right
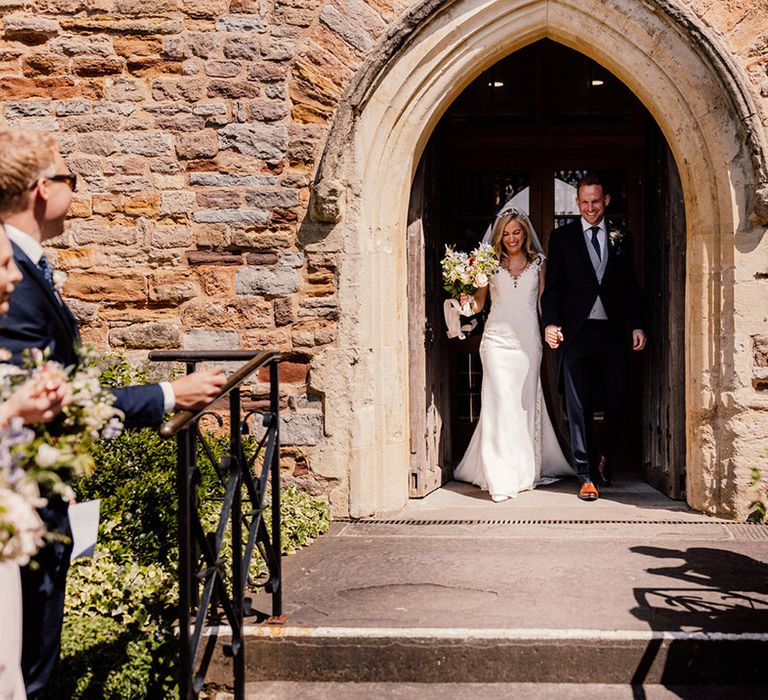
column 710, row 628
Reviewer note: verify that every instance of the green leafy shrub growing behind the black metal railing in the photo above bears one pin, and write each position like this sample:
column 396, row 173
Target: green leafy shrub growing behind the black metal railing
column 118, row 639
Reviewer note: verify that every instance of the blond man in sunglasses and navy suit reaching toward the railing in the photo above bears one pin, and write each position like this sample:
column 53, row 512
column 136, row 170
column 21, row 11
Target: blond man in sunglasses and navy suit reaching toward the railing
column 36, row 189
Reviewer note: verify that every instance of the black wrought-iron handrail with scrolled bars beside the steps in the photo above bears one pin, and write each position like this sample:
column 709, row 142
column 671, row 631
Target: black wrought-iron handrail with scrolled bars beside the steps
column 212, row 587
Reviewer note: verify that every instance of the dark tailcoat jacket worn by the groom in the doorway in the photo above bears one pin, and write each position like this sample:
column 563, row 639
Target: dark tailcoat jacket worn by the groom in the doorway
column 571, row 284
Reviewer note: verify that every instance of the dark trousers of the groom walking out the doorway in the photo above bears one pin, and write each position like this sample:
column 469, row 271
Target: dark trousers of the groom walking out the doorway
column 595, row 359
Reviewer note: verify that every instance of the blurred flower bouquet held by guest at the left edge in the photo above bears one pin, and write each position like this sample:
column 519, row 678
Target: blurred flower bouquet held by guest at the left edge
column 45, row 457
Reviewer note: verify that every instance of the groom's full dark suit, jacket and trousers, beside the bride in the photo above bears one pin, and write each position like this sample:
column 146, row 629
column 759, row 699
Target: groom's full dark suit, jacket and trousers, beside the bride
column 571, row 288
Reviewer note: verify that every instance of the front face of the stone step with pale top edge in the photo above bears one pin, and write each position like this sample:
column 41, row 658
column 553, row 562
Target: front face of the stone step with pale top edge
column 453, row 655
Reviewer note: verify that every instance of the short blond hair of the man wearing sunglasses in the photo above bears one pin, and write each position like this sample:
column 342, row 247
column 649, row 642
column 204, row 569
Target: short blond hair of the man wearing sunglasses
column 24, row 157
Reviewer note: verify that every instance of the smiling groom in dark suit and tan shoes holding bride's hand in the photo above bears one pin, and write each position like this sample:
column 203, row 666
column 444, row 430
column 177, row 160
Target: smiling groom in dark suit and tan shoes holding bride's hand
column 590, row 297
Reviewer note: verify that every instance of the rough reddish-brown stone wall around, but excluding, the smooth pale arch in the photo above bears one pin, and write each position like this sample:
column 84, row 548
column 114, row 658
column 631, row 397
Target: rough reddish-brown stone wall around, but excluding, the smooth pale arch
column 196, row 125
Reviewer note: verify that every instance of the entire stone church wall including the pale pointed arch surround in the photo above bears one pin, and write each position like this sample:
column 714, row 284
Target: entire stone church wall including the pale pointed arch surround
column 251, row 179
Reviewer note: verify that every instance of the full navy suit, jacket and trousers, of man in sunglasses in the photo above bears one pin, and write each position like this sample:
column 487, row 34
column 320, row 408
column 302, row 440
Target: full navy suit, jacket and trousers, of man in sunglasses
column 37, row 318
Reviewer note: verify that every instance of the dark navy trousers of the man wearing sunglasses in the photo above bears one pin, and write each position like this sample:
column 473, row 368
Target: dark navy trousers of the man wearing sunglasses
column 42, row 593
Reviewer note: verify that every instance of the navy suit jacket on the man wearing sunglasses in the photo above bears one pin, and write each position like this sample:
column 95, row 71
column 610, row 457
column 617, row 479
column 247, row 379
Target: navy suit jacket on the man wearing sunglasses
column 38, row 319
